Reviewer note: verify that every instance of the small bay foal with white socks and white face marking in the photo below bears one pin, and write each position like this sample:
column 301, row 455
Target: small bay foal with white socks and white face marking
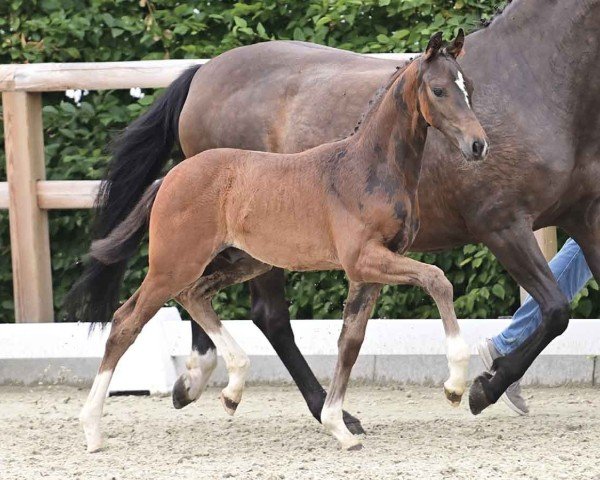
column 348, row 205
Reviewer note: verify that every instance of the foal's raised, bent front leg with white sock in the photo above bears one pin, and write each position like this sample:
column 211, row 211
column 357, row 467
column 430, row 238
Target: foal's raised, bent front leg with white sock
column 377, row 264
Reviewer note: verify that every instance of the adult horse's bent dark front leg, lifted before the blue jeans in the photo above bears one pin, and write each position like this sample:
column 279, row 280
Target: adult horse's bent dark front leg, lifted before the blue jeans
column 518, row 251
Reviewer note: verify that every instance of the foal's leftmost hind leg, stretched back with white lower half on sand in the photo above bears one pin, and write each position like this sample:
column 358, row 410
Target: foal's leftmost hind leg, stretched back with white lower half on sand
column 127, row 323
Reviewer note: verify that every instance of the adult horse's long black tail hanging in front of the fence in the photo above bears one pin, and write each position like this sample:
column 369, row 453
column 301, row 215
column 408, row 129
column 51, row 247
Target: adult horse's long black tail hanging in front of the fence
column 139, row 155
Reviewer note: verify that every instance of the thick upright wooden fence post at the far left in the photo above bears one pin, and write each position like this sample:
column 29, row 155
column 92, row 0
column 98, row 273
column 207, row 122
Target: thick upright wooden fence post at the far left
column 29, row 237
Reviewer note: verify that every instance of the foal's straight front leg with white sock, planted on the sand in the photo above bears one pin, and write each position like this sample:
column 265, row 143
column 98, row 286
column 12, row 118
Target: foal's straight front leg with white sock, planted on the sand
column 358, row 309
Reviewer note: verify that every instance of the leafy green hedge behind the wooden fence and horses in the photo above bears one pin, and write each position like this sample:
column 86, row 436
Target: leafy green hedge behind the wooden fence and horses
column 113, row 30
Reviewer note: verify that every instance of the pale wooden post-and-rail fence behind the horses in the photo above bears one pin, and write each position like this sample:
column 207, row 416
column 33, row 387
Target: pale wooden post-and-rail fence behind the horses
column 28, row 195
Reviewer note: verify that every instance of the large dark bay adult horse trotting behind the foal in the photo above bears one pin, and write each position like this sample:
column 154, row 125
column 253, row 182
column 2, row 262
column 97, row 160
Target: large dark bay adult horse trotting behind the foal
column 534, row 67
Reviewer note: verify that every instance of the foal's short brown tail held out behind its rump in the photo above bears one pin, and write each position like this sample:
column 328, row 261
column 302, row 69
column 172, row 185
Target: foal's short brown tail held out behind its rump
column 122, row 242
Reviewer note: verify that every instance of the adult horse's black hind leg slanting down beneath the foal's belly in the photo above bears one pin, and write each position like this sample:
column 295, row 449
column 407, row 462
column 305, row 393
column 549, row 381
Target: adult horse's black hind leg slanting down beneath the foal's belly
column 271, row 315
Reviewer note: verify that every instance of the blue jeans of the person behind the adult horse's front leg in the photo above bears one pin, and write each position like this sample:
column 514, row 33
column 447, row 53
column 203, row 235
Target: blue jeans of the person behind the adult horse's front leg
column 571, row 272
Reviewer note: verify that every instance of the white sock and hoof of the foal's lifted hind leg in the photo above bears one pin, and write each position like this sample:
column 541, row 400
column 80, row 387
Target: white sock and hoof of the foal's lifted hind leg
column 237, row 363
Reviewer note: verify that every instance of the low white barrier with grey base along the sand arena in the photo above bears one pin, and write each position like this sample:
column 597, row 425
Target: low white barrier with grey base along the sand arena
column 395, row 351
